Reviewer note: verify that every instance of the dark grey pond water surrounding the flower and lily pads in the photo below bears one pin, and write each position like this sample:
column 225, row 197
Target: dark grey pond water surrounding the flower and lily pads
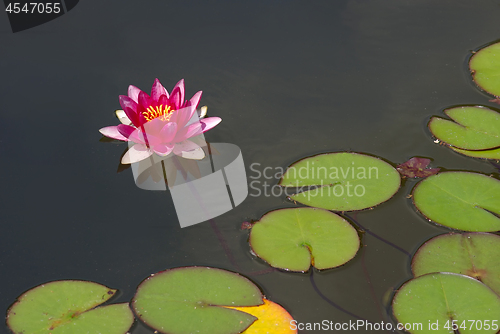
column 289, row 79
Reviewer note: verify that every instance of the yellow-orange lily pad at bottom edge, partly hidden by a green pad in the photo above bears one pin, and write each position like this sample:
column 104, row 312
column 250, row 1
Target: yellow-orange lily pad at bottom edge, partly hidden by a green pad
column 272, row 319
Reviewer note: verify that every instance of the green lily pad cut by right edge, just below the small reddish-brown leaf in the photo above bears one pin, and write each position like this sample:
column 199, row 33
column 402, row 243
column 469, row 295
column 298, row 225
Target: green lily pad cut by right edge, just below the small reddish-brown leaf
column 460, row 200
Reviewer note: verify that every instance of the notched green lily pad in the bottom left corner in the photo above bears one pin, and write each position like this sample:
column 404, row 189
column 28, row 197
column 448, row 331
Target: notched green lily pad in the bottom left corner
column 69, row 307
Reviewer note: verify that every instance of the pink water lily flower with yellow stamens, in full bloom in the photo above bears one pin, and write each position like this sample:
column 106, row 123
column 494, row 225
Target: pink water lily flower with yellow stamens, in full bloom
column 159, row 123
